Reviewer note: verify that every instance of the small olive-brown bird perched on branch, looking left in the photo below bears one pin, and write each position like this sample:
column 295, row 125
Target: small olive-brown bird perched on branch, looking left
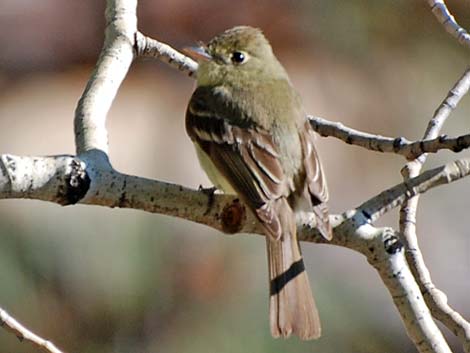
column 253, row 139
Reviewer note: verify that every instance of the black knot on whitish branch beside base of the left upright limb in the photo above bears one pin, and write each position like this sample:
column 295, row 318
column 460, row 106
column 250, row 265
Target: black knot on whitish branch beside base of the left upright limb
column 77, row 183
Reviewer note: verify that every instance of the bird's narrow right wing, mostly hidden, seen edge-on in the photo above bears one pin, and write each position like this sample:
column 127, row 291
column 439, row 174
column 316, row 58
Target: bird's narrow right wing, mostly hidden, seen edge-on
column 316, row 188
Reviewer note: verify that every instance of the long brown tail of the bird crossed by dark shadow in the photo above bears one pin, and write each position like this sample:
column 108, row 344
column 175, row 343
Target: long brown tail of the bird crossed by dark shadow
column 291, row 305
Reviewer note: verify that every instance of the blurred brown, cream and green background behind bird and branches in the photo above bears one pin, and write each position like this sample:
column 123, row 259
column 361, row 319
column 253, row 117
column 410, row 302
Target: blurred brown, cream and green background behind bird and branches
column 93, row 279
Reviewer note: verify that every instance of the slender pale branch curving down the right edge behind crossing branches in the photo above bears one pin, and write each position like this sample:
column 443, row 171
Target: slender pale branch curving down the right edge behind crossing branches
column 435, row 298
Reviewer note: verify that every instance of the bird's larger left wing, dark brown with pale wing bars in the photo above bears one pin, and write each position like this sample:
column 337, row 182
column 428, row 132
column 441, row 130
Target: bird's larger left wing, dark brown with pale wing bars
column 245, row 155
